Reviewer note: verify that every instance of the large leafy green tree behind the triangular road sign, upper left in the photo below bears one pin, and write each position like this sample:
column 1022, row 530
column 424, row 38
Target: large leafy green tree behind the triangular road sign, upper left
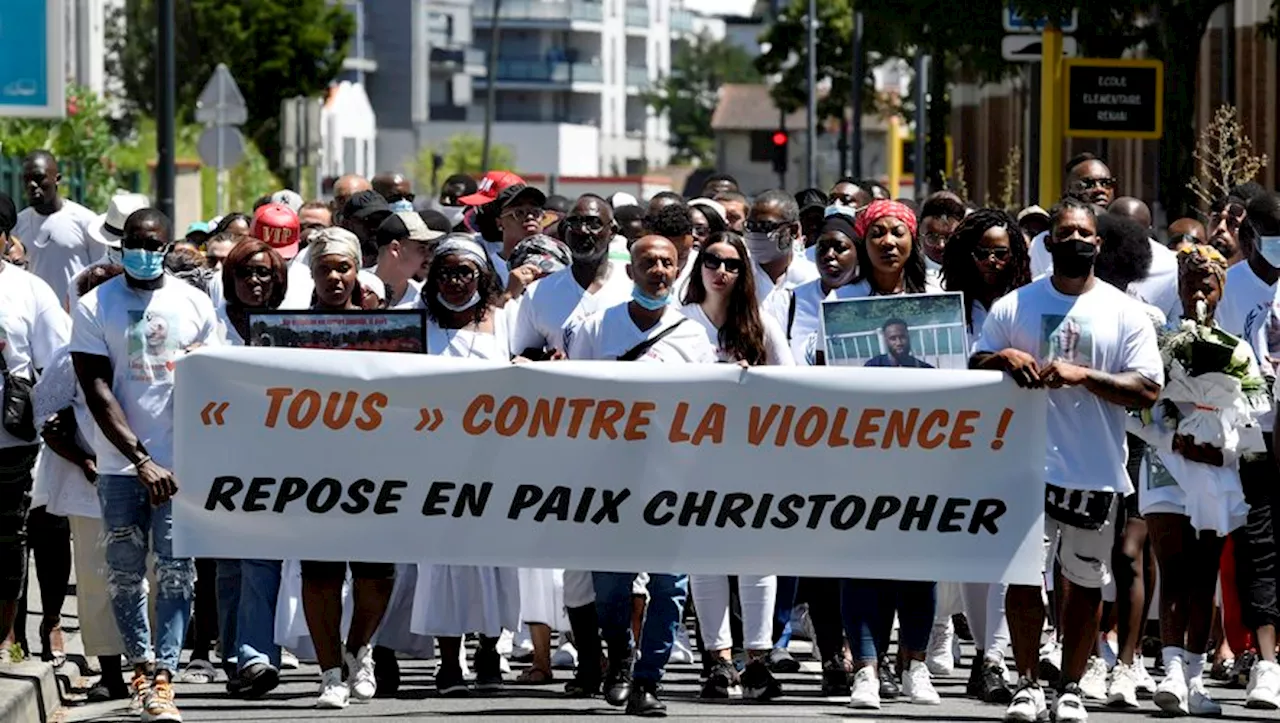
column 276, row 51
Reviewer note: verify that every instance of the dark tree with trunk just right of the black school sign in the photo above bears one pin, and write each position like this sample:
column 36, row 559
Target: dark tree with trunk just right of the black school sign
column 1168, row 29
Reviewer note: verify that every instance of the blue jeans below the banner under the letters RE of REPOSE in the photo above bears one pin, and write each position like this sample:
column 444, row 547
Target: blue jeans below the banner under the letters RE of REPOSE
column 246, row 611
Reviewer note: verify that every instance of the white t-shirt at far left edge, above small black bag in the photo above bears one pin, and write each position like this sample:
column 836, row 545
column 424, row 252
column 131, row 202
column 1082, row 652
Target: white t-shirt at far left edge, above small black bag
column 33, row 330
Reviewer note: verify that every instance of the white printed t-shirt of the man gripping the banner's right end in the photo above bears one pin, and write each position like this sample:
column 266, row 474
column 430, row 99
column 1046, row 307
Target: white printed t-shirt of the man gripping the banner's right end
column 1103, row 330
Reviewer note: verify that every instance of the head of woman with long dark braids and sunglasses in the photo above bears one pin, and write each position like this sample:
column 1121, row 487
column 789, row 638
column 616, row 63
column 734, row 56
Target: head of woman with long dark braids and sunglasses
column 985, row 259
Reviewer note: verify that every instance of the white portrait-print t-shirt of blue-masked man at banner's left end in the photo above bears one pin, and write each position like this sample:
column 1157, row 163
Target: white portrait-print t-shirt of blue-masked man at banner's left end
column 143, row 333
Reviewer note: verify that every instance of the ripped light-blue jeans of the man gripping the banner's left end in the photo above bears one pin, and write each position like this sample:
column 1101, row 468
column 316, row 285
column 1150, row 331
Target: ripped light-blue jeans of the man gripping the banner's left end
column 129, row 521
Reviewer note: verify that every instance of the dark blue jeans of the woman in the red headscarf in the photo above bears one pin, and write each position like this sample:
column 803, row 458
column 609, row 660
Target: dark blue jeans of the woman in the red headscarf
column 866, row 605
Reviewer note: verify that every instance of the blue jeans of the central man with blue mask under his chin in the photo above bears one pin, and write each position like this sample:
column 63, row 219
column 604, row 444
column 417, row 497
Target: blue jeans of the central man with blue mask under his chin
column 668, row 594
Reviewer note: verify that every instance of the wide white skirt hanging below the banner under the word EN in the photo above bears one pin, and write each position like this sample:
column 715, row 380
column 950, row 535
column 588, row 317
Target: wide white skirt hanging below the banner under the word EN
column 452, row 601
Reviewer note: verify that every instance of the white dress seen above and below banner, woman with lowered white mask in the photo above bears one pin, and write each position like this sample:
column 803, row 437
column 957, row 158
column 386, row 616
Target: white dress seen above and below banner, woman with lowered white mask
column 452, row 601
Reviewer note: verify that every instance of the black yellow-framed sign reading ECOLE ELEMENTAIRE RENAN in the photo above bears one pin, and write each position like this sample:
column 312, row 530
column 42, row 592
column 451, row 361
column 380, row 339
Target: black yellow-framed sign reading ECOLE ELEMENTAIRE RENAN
column 1113, row 99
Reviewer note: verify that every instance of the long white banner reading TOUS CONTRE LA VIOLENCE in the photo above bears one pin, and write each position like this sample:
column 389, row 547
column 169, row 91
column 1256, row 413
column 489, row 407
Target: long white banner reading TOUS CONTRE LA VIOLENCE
column 852, row 473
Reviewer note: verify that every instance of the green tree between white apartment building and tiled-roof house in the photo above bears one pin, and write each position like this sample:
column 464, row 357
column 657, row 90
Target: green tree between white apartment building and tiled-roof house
column 691, row 93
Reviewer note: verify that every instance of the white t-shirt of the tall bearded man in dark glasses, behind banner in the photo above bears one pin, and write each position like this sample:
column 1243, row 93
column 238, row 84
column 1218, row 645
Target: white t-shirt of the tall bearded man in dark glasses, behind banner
column 556, row 304
